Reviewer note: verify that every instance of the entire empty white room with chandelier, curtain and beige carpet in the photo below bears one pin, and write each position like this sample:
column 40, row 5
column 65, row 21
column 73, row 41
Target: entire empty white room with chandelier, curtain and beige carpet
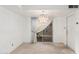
column 39, row 29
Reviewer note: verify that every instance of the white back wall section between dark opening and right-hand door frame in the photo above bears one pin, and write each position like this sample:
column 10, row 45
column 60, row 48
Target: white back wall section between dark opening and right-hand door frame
column 59, row 29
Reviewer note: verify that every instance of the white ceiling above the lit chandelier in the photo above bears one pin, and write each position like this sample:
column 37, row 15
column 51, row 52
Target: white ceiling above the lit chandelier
column 36, row 10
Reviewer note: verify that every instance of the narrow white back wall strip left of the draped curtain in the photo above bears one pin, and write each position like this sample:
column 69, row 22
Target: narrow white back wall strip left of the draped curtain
column 28, row 30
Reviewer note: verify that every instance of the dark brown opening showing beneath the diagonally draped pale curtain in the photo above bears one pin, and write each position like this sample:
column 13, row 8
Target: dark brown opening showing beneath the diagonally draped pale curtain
column 45, row 35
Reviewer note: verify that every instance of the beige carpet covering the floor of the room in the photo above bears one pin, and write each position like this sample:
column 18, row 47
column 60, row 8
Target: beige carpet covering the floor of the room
column 42, row 48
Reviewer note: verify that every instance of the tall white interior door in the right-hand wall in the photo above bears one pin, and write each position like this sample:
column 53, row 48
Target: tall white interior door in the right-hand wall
column 71, row 32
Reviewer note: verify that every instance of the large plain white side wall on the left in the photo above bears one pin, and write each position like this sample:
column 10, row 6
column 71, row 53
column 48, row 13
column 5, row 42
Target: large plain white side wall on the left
column 11, row 30
